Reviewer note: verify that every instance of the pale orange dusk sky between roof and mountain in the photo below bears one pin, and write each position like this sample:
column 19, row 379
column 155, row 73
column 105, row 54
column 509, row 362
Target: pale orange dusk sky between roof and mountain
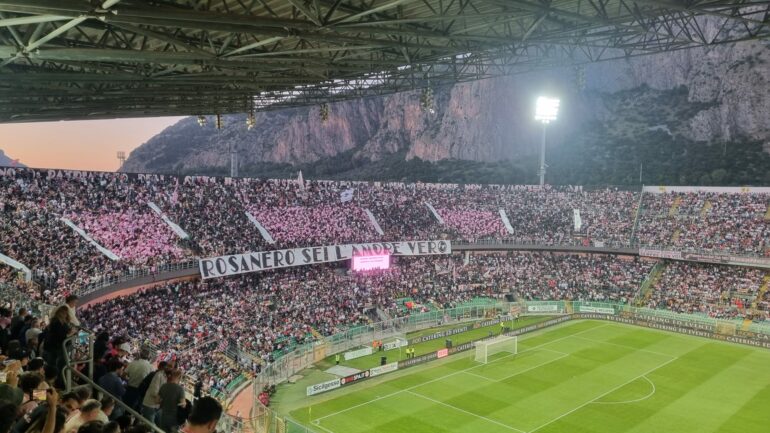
column 80, row 145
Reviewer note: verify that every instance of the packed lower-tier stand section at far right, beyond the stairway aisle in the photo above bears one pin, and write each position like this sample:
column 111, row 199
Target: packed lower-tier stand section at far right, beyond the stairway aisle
column 723, row 292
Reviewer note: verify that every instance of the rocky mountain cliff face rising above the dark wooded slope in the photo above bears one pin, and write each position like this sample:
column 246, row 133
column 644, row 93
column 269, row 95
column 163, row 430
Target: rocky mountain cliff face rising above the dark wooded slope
column 701, row 96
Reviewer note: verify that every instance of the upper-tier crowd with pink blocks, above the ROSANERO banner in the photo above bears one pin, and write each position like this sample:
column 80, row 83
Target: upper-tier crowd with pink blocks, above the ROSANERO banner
column 114, row 210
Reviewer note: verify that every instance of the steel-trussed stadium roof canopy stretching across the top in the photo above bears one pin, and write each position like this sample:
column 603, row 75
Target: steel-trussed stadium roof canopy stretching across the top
column 79, row 59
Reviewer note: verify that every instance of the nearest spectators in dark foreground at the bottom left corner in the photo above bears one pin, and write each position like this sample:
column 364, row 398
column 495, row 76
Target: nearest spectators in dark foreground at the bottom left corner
column 32, row 400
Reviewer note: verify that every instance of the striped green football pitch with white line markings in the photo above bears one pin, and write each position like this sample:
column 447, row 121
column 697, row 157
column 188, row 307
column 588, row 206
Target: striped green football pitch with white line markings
column 584, row 376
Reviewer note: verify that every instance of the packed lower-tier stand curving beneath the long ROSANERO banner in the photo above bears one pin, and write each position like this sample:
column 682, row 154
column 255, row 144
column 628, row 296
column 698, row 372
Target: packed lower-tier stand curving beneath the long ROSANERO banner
column 270, row 313
